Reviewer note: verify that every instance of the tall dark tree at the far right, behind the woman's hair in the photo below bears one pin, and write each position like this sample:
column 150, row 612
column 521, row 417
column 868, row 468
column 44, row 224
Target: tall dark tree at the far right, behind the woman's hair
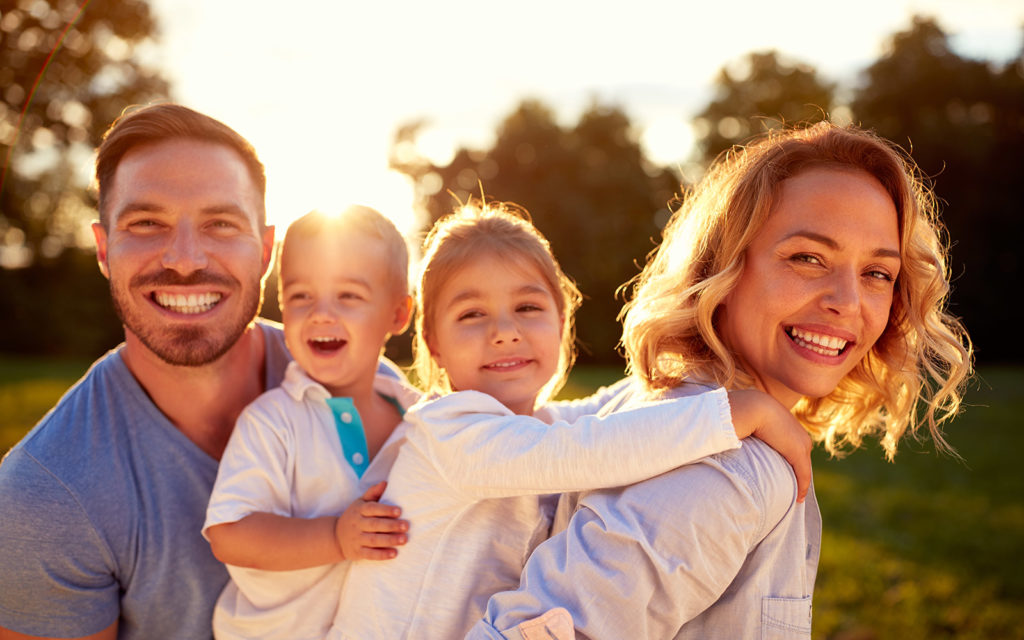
column 964, row 122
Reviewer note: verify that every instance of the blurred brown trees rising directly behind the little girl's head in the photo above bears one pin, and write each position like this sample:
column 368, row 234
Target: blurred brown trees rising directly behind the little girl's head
column 588, row 188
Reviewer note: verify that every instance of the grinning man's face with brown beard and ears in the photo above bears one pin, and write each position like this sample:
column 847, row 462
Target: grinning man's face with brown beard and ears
column 186, row 252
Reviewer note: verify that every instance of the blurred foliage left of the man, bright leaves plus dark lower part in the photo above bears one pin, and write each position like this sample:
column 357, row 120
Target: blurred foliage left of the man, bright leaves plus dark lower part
column 69, row 69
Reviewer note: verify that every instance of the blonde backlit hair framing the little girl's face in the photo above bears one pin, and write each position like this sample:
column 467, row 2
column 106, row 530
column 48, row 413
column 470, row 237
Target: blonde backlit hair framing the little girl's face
column 495, row 230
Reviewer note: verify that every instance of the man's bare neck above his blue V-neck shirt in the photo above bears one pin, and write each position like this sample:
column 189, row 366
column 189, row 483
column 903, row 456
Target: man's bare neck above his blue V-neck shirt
column 203, row 402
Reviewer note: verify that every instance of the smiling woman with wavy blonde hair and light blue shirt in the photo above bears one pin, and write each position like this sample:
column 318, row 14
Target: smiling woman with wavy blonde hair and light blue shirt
column 808, row 266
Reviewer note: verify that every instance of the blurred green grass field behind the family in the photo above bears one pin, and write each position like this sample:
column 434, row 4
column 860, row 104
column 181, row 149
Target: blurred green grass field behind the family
column 925, row 548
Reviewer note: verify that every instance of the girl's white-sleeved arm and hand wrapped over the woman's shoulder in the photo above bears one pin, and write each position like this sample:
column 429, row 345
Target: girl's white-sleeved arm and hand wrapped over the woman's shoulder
column 486, row 451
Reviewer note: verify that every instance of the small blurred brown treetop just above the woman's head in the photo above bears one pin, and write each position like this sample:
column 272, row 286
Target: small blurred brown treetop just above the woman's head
column 765, row 93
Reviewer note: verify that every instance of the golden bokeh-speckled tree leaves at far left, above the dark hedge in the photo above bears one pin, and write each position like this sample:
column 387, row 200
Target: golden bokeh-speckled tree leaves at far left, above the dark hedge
column 69, row 69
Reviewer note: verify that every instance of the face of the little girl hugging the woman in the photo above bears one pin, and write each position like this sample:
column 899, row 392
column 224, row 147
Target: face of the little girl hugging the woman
column 497, row 330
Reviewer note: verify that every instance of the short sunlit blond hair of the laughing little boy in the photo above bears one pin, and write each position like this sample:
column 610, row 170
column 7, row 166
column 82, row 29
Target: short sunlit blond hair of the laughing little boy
column 358, row 220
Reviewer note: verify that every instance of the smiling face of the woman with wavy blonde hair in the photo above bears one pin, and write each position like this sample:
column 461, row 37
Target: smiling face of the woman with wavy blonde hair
column 818, row 284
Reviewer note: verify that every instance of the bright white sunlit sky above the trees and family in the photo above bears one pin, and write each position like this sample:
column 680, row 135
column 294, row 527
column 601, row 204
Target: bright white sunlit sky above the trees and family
column 319, row 87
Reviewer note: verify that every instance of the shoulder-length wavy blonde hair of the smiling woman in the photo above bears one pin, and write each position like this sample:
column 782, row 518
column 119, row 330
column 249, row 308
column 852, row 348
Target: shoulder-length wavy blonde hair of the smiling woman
column 924, row 357
